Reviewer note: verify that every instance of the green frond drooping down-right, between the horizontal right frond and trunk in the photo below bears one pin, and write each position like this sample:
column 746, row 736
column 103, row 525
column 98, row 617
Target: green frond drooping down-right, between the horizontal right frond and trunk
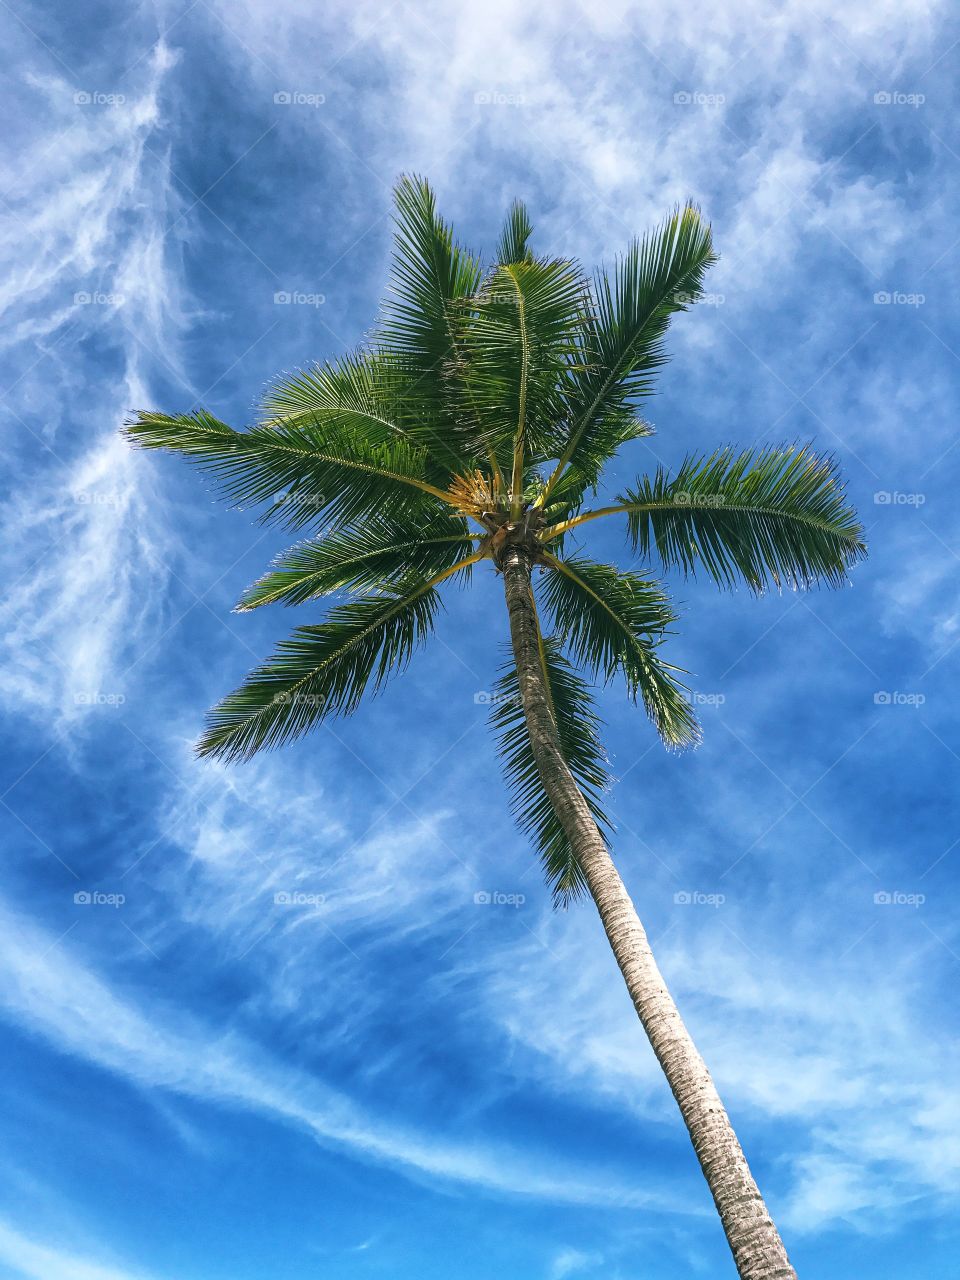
column 615, row 623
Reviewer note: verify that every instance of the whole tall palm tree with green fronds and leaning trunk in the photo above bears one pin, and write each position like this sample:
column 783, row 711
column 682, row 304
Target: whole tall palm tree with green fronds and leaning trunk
column 473, row 428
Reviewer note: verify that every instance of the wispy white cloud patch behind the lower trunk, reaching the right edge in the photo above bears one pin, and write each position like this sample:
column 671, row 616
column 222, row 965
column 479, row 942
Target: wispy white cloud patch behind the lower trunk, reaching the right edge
column 815, row 1044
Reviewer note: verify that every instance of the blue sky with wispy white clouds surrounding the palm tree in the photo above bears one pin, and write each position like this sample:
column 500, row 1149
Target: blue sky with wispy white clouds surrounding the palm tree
column 386, row 1078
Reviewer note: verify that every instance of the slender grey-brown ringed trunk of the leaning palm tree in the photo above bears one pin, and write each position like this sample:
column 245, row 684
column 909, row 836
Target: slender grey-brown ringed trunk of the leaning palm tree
column 757, row 1247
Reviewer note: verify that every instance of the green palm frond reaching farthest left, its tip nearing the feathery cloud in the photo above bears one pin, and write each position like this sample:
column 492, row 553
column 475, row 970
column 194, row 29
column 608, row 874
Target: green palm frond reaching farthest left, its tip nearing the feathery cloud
column 303, row 470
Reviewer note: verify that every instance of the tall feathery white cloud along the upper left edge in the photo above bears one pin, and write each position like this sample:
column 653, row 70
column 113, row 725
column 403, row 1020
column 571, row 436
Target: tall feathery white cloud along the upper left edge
column 85, row 260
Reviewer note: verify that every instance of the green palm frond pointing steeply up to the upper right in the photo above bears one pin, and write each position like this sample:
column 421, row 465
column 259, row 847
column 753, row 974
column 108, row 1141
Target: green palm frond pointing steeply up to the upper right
column 662, row 273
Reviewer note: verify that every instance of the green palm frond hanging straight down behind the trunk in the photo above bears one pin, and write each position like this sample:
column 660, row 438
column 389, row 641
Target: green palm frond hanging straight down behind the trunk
column 578, row 726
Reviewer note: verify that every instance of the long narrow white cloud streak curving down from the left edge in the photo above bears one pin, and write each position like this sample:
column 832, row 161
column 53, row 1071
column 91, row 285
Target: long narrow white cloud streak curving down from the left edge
column 51, row 993
